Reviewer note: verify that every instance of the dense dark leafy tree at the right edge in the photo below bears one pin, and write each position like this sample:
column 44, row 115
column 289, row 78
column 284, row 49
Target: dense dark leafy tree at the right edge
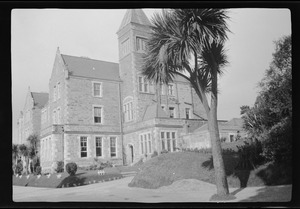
column 270, row 119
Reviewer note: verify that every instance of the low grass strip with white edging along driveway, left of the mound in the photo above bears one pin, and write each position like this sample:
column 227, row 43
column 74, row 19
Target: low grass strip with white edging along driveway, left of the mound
column 82, row 177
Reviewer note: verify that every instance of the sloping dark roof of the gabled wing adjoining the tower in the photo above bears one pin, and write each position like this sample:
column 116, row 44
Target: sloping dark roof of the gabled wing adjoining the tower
column 91, row 68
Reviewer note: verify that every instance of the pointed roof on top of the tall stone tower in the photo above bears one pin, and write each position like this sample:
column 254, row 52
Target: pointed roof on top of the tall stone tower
column 134, row 16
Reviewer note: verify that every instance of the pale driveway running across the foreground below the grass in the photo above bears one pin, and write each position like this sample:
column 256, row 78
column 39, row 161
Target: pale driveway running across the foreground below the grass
column 187, row 190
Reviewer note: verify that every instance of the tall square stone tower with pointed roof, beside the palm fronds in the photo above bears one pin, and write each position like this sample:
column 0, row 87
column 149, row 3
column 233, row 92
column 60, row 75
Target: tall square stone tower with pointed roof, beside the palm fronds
column 136, row 91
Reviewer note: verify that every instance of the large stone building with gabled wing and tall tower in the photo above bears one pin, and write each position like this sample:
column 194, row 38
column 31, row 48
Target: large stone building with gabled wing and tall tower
column 109, row 111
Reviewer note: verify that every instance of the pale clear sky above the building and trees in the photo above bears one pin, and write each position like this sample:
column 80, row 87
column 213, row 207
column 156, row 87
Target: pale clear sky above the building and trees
column 36, row 34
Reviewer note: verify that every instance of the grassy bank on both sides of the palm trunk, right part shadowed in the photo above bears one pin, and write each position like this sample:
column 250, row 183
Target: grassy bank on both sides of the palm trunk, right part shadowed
column 165, row 169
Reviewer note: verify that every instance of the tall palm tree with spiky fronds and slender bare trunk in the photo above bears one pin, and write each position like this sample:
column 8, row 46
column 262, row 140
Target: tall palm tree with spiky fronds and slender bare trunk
column 190, row 43
